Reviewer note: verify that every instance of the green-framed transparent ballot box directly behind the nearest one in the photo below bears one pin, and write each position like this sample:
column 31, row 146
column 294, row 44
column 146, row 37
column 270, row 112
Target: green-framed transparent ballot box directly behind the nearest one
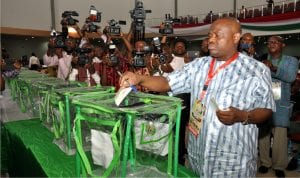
column 62, row 113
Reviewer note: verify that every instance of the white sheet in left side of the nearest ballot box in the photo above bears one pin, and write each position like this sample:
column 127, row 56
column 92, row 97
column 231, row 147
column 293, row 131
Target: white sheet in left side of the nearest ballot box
column 102, row 148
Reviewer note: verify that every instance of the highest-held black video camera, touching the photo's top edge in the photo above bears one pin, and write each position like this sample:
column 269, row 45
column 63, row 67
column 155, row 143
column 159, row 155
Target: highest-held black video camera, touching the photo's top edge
column 138, row 14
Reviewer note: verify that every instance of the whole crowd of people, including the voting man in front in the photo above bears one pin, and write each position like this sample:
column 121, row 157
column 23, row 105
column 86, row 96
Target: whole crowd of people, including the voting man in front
column 230, row 93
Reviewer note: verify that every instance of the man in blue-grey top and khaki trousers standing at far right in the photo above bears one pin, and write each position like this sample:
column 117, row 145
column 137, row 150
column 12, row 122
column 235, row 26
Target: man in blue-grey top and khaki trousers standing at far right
column 284, row 70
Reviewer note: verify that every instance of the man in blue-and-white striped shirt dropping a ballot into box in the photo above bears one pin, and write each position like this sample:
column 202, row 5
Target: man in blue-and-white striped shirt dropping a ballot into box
column 230, row 94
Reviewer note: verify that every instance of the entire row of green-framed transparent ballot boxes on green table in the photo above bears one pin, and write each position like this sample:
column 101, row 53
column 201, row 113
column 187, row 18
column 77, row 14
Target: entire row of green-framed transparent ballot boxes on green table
column 138, row 138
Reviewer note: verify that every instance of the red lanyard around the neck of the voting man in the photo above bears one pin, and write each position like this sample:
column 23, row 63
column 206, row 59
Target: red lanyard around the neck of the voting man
column 212, row 73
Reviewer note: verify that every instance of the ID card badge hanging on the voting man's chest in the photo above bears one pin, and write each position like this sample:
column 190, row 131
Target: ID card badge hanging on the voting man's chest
column 196, row 118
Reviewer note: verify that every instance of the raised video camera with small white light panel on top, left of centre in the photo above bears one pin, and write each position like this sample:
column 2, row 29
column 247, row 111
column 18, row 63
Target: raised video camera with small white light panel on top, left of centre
column 95, row 16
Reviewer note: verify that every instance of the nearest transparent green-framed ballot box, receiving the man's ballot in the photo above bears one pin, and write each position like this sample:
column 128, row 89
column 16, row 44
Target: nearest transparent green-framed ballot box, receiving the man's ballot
column 138, row 138
